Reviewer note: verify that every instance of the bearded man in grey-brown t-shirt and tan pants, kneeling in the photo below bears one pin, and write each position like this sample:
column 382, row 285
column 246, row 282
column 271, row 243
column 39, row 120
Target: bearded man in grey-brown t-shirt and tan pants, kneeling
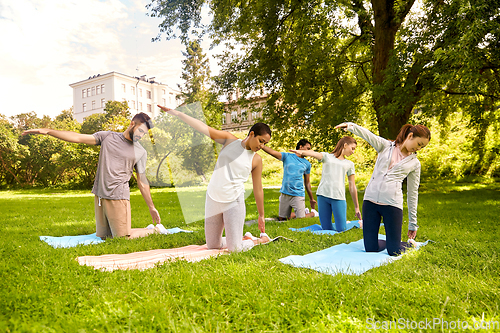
column 120, row 154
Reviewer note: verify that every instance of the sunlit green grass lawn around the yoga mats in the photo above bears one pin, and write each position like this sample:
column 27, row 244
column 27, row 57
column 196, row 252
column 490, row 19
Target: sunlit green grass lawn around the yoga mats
column 453, row 280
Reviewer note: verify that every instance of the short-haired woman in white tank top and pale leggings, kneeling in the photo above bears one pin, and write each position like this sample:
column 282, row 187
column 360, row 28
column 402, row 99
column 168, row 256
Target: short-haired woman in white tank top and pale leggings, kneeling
column 225, row 202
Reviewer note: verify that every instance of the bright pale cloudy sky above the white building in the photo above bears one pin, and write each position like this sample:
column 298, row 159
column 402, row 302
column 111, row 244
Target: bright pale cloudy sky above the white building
column 45, row 45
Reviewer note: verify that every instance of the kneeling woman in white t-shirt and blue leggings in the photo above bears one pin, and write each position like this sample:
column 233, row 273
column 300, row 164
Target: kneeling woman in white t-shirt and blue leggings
column 331, row 189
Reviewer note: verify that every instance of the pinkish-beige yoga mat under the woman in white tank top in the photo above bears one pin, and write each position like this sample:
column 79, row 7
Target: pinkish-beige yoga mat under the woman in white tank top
column 148, row 259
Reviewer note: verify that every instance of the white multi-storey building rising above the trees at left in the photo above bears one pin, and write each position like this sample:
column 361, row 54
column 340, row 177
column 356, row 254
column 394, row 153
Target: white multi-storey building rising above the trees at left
column 142, row 94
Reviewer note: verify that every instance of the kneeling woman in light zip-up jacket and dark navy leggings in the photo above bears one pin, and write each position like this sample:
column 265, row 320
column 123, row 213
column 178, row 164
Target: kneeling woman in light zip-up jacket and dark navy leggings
column 383, row 198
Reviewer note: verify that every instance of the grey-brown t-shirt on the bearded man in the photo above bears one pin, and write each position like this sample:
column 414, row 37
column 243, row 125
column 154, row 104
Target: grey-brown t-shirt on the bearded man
column 117, row 159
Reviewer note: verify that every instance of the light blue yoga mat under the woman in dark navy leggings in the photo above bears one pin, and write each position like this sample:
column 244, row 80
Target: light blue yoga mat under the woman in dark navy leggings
column 343, row 258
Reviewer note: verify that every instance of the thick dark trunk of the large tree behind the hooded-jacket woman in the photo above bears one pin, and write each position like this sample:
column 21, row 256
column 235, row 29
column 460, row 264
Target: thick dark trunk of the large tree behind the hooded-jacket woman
column 387, row 24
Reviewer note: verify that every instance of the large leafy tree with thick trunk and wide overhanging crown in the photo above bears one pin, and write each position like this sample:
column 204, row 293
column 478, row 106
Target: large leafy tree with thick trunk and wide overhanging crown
column 324, row 61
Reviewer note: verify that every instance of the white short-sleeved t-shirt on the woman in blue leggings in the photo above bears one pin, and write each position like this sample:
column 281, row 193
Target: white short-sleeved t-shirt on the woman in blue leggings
column 332, row 184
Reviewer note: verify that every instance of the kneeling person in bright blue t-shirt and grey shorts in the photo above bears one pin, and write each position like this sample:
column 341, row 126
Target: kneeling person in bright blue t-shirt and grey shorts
column 292, row 187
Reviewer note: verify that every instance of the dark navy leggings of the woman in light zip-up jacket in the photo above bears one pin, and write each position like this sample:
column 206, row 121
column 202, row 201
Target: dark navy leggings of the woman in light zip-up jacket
column 393, row 222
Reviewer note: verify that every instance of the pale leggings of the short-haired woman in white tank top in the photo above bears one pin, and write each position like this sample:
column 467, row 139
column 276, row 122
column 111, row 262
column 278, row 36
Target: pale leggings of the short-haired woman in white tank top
column 229, row 217
